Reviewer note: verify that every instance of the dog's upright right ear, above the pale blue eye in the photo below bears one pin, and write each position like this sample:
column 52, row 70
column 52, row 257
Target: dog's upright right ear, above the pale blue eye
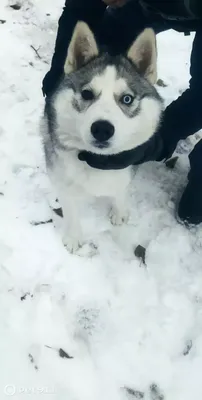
column 143, row 54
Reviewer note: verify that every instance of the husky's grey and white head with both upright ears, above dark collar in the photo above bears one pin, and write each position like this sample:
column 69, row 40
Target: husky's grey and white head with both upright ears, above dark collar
column 107, row 104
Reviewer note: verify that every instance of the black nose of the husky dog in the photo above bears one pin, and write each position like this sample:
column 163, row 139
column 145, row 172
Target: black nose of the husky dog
column 102, row 130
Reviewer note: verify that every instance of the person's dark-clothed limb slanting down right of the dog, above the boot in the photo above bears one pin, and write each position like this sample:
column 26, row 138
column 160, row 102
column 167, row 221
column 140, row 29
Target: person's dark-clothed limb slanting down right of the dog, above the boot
column 183, row 117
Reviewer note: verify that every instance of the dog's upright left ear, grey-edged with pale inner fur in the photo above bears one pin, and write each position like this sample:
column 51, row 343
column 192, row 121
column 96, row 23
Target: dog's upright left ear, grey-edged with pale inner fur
column 82, row 48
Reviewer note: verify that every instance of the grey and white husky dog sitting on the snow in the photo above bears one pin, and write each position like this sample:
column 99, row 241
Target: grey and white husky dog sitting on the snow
column 104, row 105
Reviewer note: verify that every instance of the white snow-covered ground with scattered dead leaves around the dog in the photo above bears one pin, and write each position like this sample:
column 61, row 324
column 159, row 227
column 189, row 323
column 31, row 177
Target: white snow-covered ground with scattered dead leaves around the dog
column 121, row 324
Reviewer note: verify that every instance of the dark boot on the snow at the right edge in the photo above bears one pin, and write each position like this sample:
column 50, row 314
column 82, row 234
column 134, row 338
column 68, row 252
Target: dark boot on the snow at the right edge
column 190, row 206
